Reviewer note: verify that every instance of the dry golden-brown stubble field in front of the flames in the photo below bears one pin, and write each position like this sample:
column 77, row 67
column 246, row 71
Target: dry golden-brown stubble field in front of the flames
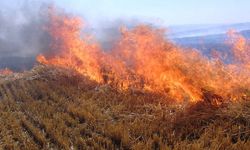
column 48, row 108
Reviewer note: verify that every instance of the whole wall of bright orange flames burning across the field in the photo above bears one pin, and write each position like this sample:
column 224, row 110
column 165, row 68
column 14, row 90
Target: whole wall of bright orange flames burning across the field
column 143, row 59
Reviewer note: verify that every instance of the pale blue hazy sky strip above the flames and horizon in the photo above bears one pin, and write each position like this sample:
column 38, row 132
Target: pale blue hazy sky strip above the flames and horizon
column 169, row 12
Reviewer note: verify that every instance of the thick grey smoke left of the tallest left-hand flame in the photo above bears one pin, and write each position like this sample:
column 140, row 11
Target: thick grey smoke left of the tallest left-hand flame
column 22, row 33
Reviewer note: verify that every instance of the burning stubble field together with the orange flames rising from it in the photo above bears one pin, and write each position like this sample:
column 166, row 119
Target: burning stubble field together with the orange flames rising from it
column 144, row 93
